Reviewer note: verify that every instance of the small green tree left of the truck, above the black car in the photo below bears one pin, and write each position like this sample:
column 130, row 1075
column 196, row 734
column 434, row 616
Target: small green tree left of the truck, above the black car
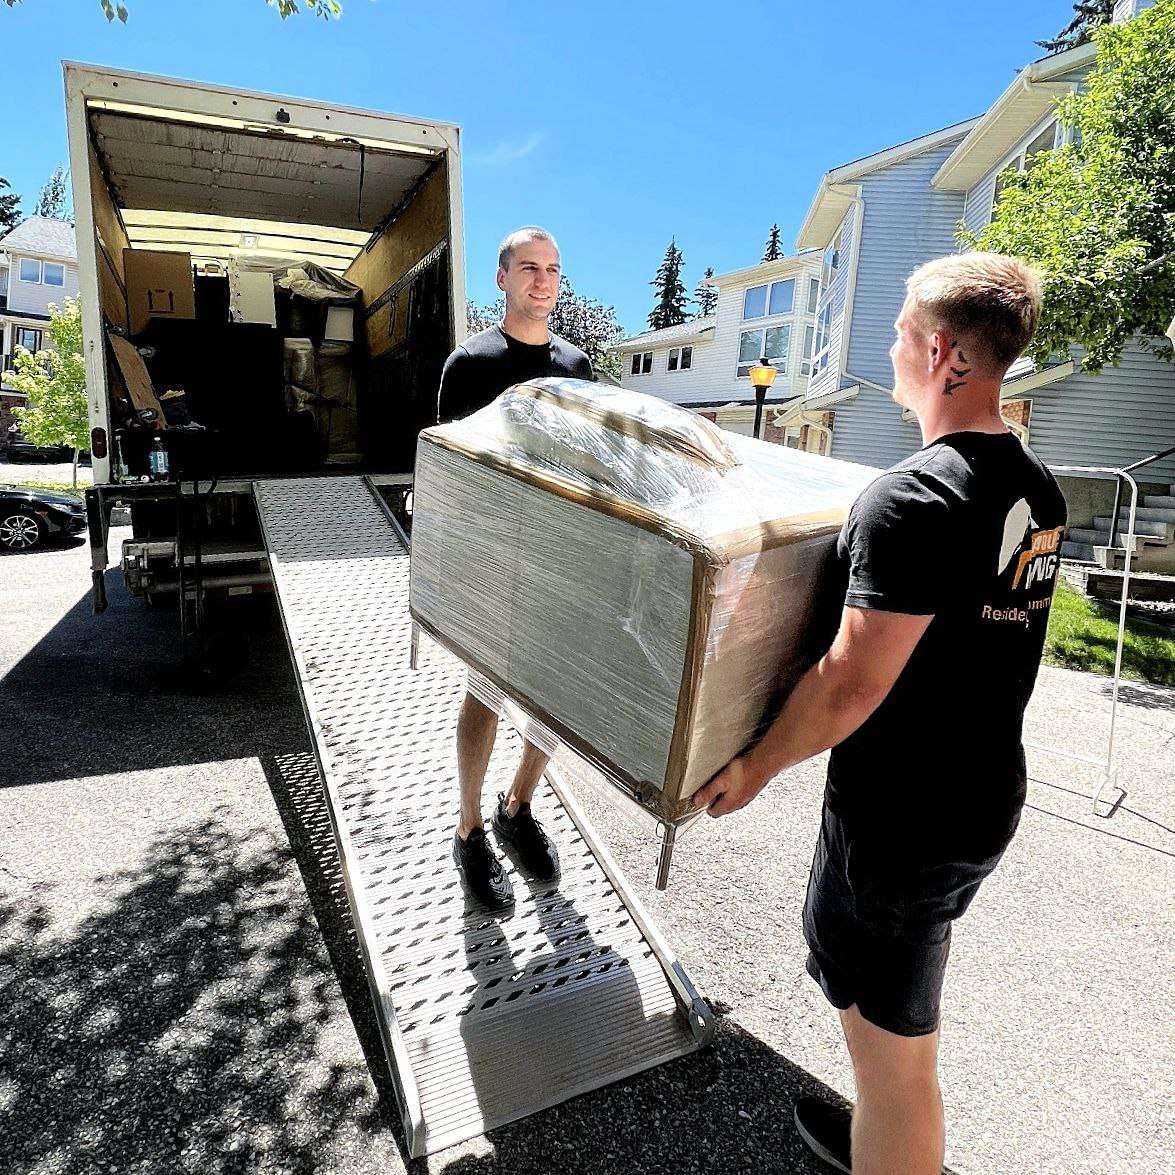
column 55, row 382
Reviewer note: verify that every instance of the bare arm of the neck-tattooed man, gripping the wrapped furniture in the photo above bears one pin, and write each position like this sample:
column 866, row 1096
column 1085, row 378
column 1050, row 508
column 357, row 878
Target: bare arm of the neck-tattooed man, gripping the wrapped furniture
column 831, row 702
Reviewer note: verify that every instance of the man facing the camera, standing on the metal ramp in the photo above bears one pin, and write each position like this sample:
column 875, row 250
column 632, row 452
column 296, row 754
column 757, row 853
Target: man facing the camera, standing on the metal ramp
column 519, row 348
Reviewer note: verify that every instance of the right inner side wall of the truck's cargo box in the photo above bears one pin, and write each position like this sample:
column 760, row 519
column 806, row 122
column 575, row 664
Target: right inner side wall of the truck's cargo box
column 405, row 274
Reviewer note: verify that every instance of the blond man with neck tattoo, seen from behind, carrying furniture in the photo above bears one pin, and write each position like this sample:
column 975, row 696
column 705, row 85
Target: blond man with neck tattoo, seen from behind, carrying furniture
column 951, row 559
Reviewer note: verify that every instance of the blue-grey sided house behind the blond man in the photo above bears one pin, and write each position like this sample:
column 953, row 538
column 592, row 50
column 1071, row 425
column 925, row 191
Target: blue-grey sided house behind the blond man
column 882, row 217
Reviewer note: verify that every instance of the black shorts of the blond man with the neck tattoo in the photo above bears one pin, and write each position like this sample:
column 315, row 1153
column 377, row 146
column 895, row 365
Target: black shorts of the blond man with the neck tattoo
column 868, row 949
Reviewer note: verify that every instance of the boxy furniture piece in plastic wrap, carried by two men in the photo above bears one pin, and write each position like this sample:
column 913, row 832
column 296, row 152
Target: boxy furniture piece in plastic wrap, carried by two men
column 646, row 585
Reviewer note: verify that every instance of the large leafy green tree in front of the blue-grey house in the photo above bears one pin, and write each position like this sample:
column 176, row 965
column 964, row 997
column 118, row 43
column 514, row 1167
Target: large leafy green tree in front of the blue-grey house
column 1098, row 216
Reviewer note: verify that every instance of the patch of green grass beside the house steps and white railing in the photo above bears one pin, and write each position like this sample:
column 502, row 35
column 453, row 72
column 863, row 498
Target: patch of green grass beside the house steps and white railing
column 1080, row 636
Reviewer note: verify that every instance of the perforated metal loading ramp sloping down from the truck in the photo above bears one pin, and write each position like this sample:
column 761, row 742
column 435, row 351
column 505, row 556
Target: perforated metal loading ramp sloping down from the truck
column 485, row 1019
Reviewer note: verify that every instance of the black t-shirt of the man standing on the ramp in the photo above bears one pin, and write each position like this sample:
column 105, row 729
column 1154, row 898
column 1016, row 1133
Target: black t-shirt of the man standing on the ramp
column 492, row 361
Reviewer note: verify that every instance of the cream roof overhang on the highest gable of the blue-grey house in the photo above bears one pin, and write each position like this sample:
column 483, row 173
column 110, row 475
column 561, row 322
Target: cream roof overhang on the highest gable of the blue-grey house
column 1033, row 93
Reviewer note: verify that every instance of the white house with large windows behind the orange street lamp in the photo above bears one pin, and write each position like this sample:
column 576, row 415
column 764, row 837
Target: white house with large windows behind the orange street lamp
column 767, row 310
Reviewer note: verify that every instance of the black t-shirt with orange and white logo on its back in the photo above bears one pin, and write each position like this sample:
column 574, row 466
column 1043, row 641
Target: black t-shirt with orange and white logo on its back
column 968, row 531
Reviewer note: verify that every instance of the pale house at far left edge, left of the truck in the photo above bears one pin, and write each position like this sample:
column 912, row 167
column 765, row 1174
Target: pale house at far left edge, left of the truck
column 38, row 266
